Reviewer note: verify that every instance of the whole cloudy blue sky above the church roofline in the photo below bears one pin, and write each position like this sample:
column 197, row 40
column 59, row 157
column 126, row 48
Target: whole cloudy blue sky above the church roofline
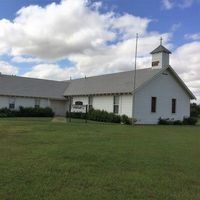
column 75, row 38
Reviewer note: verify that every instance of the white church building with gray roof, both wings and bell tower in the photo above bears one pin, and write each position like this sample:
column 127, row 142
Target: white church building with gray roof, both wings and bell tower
column 159, row 92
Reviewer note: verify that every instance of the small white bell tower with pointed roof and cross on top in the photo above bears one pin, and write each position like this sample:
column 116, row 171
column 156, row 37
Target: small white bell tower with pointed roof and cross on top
column 160, row 56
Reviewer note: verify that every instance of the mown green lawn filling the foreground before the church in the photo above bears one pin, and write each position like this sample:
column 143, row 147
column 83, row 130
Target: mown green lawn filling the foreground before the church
column 75, row 161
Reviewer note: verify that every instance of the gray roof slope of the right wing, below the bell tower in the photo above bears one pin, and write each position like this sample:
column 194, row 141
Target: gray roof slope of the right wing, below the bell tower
column 110, row 84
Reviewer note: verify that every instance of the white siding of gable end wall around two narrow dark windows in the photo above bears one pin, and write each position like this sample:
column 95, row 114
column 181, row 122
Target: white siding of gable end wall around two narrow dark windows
column 165, row 87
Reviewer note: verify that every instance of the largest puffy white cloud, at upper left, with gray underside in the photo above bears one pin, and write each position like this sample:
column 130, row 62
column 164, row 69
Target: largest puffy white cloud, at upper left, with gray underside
column 68, row 28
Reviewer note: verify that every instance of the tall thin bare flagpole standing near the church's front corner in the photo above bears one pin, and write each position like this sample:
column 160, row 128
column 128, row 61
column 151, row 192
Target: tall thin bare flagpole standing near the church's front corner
column 134, row 80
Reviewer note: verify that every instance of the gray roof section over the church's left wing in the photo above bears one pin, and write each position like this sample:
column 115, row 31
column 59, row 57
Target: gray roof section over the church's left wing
column 31, row 87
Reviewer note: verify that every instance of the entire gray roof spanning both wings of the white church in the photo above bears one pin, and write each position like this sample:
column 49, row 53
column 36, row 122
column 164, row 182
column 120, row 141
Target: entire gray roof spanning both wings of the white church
column 97, row 85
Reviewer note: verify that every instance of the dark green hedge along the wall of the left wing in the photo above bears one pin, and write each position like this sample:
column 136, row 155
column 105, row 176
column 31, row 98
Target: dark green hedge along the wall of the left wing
column 27, row 112
